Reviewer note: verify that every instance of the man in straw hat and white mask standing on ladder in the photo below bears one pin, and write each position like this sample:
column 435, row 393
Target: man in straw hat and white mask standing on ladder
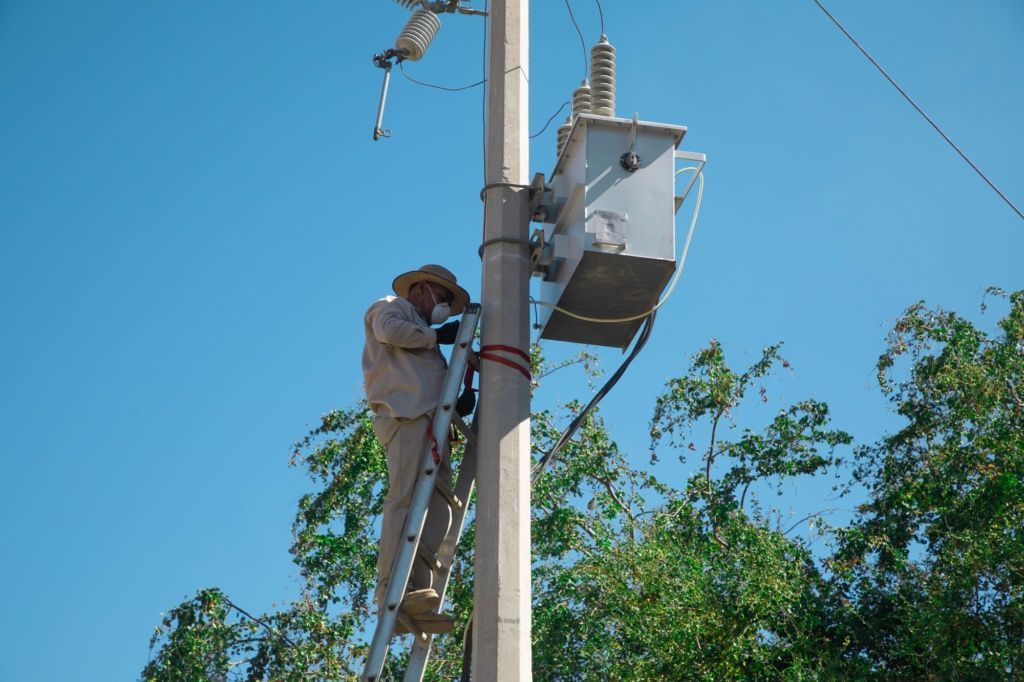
column 404, row 370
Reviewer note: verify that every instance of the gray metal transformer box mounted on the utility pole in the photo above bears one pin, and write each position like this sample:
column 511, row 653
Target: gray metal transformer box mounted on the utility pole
column 612, row 231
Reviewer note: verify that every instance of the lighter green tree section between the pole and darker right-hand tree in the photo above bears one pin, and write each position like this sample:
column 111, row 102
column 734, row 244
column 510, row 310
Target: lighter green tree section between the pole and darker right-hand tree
column 682, row 583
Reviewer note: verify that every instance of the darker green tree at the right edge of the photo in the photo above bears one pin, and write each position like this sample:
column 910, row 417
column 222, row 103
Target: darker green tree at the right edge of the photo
column 932, row 571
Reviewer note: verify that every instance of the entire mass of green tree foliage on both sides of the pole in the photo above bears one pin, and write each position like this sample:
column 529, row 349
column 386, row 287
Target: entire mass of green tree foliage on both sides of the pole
column 642, row 579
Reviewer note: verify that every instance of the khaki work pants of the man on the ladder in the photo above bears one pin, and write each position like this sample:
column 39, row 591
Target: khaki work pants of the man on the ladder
column 406, row 442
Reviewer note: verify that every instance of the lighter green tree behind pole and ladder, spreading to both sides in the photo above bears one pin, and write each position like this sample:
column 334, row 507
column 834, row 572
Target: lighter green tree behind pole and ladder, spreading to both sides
column 623, row 563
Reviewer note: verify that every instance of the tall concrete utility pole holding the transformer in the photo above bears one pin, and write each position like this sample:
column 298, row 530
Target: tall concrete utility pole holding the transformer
column 502, row 590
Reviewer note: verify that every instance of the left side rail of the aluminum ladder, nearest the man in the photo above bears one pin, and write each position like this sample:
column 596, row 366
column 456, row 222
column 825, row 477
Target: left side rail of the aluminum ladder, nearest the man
column 416, row 517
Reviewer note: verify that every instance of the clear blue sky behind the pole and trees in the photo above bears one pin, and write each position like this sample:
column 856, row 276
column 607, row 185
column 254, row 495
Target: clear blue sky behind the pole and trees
column 194, row 217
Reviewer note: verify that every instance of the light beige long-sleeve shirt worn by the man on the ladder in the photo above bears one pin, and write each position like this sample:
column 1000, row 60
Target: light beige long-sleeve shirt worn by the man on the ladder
column 403, row 368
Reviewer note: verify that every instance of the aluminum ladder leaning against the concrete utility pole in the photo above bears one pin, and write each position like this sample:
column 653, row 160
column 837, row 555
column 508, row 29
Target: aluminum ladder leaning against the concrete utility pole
column 428, row 486
